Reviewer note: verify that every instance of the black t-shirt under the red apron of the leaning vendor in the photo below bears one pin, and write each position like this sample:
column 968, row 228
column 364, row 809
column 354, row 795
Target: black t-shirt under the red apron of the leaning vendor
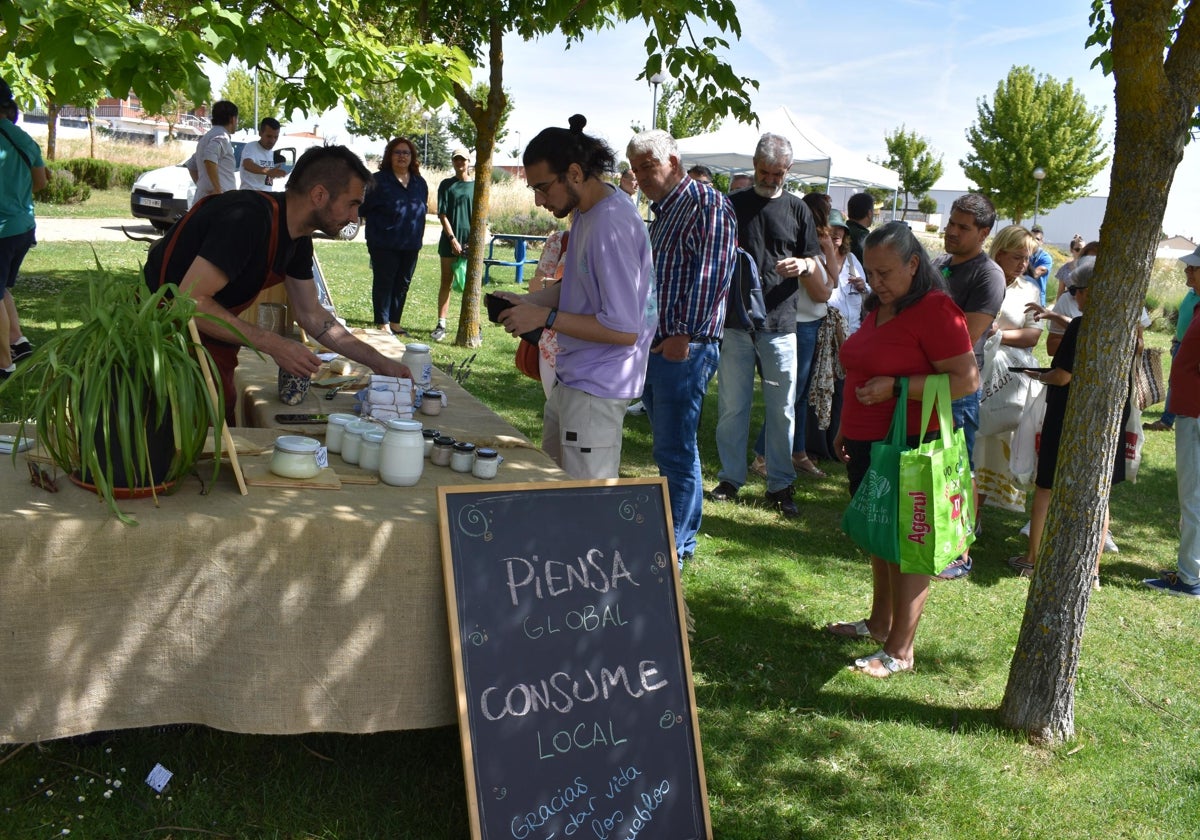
column 233, row 232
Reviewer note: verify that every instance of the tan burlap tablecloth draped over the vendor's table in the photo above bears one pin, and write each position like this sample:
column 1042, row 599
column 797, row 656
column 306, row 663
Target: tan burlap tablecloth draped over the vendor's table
column 284, row 611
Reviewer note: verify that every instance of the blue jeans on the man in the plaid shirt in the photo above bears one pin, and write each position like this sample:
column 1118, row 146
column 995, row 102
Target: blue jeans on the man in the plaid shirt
column 674, row 397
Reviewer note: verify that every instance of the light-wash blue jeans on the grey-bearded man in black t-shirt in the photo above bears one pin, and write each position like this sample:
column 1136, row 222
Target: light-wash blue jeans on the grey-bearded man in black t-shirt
column 736, row 374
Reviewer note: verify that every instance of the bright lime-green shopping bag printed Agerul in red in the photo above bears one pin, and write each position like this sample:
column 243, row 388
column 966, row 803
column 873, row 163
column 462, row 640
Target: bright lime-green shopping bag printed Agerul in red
column 937, row 501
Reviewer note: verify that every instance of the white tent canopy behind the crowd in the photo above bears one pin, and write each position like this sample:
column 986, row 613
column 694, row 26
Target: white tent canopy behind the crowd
column 817, row 159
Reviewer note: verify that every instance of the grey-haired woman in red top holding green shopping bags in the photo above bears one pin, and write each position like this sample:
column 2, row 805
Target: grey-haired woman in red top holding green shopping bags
column 913, row 329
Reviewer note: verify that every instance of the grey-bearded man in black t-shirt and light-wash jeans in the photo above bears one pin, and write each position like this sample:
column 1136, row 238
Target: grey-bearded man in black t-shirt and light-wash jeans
column 777, row 230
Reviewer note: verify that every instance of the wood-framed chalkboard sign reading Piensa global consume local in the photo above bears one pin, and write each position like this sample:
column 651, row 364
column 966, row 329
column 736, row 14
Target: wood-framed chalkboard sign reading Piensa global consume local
column 575, row 694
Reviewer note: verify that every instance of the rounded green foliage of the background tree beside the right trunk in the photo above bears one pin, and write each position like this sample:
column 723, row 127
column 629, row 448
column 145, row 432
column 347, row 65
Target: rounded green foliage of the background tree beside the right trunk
column 1035, row 122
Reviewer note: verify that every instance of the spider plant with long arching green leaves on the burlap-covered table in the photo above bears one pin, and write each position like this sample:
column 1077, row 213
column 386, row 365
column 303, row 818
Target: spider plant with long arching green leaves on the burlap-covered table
column 99, row 393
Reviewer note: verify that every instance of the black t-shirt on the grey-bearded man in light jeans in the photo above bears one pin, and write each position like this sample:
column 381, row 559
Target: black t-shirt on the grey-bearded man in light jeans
column 772, row 230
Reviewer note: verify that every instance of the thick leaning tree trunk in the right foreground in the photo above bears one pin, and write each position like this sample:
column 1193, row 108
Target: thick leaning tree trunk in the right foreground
column 1155, row 105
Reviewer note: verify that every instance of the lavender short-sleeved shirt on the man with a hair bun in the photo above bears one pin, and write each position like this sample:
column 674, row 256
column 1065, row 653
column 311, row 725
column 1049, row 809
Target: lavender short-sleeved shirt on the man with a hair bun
column 609, row 273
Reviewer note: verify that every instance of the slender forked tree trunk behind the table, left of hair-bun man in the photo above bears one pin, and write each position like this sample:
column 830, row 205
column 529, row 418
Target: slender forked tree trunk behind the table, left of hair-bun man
column 487, row 119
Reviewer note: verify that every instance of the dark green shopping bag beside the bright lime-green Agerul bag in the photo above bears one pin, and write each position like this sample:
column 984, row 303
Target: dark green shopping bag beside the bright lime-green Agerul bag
column 872, row 519
